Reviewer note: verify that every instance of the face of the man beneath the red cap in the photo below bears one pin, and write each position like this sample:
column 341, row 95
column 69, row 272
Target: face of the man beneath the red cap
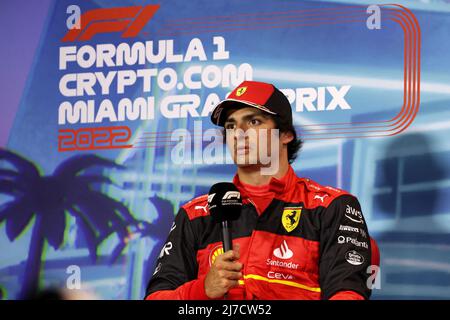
column 251, row 136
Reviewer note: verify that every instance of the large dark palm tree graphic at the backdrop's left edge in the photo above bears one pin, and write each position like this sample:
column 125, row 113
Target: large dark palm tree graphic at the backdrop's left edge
column 49, row 199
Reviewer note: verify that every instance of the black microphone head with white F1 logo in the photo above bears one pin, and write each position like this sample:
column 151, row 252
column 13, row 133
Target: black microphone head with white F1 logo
column 224, row 202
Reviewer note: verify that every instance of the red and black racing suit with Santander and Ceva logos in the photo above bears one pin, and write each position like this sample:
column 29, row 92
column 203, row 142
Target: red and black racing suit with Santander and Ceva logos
column 311, row 242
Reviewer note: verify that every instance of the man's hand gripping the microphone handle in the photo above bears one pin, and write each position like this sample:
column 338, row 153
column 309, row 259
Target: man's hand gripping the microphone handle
column 224, row 274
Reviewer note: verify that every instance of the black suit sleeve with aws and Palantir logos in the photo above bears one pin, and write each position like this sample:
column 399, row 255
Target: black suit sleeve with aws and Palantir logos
column 344, row 249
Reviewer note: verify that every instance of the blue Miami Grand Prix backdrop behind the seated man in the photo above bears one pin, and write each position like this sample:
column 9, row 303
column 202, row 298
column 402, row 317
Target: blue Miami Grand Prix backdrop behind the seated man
column 369, row 89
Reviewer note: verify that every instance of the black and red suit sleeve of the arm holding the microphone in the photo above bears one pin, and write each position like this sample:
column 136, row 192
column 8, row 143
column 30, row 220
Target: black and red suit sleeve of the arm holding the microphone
column 175, row 276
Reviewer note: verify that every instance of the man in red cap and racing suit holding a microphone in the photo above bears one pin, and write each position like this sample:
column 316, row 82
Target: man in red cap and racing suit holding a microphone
column 295, row 239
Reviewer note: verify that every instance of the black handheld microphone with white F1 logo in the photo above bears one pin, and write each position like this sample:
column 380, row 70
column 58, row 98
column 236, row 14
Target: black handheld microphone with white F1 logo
column 225, row 204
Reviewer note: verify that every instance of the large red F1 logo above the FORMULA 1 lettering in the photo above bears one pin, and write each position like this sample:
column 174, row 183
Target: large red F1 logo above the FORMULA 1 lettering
column 128, row 20
